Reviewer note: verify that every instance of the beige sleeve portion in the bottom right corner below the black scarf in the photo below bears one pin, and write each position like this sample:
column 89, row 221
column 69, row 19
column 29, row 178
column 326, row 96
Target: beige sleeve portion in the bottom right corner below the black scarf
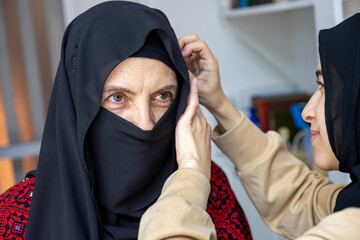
column 337, row 226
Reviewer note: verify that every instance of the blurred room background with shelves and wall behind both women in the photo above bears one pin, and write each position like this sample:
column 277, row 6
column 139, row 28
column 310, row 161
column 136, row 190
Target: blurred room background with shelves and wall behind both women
column 267, row 51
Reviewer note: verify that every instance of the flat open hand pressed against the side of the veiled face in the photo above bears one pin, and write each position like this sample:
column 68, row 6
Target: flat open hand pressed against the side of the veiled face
column 192, row 136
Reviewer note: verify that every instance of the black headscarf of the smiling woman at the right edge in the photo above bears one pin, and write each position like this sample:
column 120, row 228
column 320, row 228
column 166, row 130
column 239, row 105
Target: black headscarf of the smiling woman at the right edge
column 339, row 49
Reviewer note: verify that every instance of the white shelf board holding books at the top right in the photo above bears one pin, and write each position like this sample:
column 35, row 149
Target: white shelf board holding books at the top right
column 282, row 6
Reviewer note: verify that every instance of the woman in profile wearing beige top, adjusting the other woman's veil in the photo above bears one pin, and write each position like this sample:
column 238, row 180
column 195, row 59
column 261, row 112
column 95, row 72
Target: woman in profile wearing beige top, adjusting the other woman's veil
column 293, row 201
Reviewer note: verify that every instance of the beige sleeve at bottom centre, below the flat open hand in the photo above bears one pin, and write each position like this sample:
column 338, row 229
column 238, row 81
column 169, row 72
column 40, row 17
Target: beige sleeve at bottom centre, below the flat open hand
column 180, row 211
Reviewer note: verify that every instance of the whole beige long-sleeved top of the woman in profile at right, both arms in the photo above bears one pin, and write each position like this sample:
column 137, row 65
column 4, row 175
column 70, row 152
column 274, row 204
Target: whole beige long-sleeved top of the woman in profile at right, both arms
column 290, row 198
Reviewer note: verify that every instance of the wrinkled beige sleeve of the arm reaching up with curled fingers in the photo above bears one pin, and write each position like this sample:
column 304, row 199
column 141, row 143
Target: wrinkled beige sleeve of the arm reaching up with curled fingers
column 290, row 198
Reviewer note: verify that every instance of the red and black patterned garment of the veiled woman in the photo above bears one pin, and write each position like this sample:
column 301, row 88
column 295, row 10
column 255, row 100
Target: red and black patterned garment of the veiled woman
column 225, row 211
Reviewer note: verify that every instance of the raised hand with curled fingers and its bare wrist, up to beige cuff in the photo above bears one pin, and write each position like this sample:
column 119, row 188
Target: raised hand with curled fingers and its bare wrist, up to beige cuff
column 203, row 65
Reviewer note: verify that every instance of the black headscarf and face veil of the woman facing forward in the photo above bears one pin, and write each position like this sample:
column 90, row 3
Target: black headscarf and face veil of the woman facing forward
column 69, row 199
